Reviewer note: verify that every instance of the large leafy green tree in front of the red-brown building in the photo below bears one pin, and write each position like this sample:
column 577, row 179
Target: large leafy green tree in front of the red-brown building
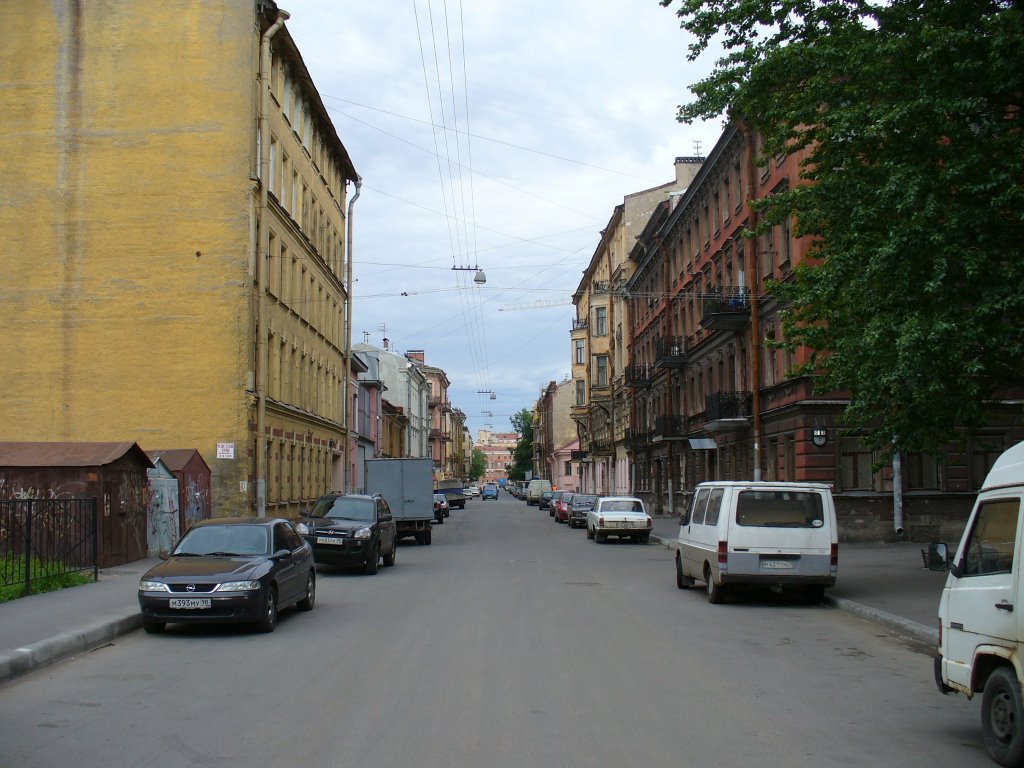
column 910, row 115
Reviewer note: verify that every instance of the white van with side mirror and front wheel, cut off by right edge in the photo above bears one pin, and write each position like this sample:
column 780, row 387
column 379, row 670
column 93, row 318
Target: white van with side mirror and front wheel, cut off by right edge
column 980, row 614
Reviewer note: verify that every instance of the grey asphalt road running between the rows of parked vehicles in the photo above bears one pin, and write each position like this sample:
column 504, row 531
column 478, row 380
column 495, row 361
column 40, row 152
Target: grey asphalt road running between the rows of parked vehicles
column 511, row 642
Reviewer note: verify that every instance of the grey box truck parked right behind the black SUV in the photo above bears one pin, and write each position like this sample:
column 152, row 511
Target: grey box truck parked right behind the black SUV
column 408, row 487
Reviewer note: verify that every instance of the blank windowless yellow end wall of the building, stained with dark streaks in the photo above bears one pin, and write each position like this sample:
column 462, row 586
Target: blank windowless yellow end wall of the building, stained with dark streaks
column 126, row 151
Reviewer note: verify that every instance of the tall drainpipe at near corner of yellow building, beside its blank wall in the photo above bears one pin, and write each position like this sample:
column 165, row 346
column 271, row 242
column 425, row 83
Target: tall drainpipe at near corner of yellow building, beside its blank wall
column 263, row 248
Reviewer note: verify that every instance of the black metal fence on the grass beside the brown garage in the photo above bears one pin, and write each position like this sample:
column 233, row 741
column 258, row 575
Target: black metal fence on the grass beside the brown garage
column 45, row 540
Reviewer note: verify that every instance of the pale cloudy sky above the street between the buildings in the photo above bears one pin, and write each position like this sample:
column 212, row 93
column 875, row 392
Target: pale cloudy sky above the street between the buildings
column 494, row 137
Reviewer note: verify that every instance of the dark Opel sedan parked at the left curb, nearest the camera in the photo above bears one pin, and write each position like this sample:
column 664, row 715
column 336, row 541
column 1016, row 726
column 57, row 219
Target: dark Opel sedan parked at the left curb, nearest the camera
column 230, row 570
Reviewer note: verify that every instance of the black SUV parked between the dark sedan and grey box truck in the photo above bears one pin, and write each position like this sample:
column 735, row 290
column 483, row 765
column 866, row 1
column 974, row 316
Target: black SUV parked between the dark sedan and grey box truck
column 352, row 531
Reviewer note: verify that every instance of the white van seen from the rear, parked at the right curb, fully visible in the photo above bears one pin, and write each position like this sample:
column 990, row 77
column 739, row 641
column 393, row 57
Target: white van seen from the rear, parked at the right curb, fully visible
column 774, row 534
